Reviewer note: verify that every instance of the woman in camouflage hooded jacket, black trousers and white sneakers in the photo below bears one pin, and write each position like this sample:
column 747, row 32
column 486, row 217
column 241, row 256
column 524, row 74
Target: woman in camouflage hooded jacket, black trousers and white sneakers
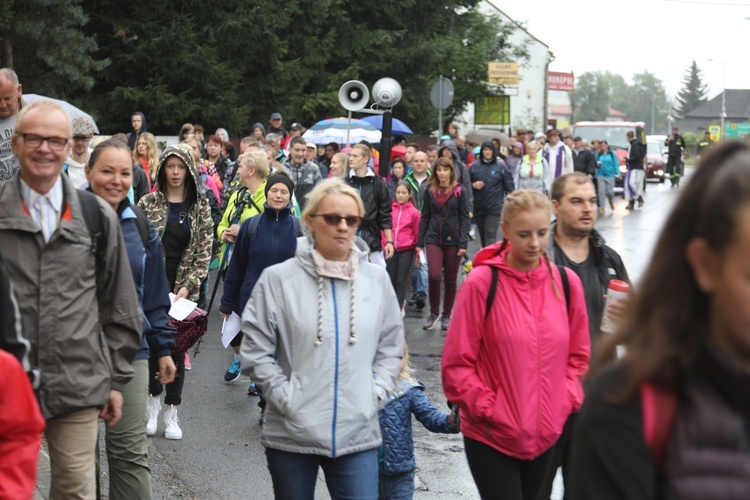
column 181, row 214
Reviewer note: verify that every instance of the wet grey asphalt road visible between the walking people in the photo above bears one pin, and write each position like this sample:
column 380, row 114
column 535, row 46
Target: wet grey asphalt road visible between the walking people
column 220, row 455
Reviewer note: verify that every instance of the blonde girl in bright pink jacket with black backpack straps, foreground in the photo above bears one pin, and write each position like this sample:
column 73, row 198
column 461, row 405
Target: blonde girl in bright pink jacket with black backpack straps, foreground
column 513, row 362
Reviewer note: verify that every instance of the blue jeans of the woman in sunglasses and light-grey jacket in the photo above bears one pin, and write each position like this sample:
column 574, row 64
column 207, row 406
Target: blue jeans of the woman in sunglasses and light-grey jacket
column 350, row 477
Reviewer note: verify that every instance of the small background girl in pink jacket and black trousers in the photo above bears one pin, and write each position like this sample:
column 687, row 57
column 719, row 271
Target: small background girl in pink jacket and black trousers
column 405, row 229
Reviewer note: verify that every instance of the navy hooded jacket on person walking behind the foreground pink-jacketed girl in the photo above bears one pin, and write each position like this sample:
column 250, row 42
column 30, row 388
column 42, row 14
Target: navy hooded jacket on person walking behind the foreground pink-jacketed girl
column 498, row 182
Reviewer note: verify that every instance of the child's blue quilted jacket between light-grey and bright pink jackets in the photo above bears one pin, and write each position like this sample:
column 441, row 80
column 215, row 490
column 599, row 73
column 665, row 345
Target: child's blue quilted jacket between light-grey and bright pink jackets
column 396, row 454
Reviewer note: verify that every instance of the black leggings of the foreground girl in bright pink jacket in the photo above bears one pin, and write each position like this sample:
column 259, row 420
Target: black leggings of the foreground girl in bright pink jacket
column 499, row 476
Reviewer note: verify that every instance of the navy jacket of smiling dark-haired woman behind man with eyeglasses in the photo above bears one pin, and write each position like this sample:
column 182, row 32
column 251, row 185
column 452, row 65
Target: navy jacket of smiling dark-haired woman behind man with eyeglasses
column 150, row 278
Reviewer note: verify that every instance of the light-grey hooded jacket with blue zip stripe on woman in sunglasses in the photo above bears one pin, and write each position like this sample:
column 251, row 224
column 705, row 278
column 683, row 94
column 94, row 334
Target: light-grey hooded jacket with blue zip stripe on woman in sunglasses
column 322, row 399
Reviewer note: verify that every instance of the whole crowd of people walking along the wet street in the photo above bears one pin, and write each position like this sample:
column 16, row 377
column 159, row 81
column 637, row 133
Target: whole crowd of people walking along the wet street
column 316, row 251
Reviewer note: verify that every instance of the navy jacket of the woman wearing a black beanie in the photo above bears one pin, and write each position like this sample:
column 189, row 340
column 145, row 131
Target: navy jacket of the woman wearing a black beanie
column 274, row 241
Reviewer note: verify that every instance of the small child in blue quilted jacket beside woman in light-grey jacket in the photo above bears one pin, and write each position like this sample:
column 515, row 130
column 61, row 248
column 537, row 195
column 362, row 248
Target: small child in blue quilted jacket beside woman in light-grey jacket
column 396, row 455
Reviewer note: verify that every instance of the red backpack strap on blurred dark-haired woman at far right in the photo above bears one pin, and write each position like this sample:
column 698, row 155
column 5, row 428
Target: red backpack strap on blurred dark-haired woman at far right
column 658, row 410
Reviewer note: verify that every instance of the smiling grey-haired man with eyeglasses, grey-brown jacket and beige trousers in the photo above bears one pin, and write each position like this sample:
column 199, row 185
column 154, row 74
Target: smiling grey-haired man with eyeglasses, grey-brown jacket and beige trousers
column 78, row 305
